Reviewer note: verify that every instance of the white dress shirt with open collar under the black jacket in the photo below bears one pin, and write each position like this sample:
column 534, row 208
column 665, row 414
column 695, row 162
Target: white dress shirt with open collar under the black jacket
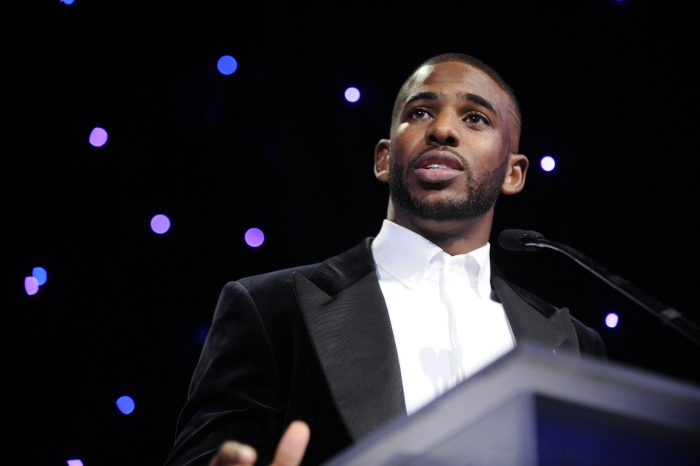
column 445, row 324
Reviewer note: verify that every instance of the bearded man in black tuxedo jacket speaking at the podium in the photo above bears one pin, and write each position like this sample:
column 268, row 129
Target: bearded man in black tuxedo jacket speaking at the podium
column 337, row 349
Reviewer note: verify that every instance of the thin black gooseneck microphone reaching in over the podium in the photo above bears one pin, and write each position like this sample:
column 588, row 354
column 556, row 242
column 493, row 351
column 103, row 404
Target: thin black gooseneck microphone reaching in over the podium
column 527, row 240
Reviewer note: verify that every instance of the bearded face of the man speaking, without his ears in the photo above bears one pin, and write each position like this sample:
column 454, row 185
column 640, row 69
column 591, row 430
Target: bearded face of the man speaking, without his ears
column 450, row 143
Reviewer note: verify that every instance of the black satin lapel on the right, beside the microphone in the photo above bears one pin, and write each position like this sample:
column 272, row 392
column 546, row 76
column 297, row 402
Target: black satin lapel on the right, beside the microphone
column 532, row 319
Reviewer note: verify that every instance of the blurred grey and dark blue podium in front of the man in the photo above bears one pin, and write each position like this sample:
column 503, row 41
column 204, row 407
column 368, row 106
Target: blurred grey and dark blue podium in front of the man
column 535, row 408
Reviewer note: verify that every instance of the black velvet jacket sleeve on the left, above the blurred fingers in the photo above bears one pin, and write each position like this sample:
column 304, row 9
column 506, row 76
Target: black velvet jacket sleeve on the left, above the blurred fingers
column 234, row 393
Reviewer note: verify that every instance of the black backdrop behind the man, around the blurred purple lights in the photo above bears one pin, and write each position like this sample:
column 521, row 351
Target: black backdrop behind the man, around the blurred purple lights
column 609, row 88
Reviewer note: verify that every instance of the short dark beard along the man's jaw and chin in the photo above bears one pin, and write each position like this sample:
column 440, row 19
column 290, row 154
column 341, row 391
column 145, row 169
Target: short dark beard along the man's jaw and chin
column 480, row 194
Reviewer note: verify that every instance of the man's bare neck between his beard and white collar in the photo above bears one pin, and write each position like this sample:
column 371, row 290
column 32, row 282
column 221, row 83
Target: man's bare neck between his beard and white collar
column 452, row 236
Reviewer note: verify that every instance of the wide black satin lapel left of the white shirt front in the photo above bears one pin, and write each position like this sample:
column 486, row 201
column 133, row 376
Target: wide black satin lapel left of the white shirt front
column 349, row 326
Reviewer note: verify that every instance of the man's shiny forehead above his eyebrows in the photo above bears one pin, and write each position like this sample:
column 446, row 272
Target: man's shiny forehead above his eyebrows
column 454, row 79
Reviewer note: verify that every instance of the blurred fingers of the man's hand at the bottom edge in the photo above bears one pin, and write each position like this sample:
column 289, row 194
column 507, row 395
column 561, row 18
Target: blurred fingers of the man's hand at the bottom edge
column 289, row 451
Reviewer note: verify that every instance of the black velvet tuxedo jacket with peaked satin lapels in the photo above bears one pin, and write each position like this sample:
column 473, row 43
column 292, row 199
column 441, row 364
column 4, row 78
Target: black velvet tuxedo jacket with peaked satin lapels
column 315, row 343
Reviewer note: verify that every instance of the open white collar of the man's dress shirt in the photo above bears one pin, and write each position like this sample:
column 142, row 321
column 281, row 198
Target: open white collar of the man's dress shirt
column 409, row 257
